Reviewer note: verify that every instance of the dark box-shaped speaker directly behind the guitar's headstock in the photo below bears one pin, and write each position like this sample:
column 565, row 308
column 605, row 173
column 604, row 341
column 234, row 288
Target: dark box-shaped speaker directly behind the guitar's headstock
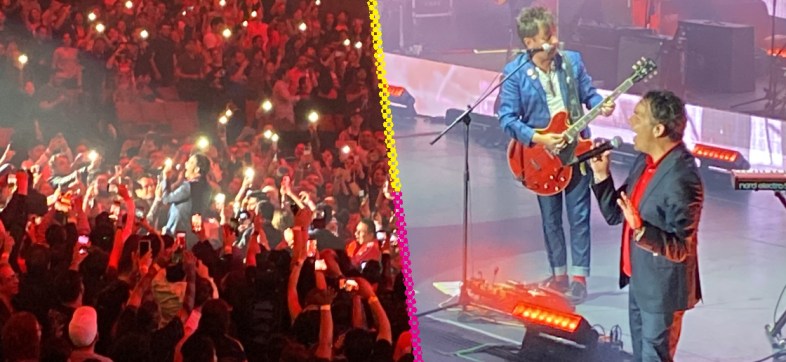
column 632, row 48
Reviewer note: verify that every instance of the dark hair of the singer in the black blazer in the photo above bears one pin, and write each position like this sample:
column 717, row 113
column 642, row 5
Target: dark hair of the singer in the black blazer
column 669, row 110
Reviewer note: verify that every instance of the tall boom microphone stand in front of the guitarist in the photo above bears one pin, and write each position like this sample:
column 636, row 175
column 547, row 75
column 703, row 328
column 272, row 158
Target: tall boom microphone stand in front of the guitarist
column 465, row 118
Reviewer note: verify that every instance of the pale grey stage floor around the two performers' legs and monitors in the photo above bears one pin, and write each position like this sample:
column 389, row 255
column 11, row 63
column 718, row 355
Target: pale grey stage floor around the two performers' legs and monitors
column 741, row 252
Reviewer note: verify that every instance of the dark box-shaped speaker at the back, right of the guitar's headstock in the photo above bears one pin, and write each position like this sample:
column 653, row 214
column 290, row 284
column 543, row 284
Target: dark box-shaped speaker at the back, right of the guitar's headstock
column 719, row 56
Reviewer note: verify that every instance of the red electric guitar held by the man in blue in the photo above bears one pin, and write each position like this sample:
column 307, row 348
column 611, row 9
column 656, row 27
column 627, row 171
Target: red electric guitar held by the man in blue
column 543, row 171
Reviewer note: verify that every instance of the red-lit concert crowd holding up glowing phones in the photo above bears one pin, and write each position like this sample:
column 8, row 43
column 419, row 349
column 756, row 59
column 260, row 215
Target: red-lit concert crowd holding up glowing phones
column 269, row 235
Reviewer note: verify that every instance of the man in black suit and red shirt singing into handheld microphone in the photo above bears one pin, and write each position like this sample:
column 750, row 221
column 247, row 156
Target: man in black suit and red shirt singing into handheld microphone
column 660, row 225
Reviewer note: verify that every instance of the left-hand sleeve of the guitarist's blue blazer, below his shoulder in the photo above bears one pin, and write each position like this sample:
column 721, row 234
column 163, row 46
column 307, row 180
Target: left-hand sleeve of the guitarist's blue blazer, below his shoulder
column 510, row 109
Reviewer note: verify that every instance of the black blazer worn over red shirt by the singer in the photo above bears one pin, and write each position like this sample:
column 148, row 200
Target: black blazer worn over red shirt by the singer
column 664, row 261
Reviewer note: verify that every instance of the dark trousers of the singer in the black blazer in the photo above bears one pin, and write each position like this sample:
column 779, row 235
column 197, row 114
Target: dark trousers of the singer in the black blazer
column 654, row 335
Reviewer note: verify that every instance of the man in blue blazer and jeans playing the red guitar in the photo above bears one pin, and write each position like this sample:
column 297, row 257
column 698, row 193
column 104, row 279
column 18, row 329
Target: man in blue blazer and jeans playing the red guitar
column 552, row 81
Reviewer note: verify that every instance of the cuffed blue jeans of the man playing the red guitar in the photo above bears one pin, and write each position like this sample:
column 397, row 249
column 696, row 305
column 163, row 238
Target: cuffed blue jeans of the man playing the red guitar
column 577, row 201
